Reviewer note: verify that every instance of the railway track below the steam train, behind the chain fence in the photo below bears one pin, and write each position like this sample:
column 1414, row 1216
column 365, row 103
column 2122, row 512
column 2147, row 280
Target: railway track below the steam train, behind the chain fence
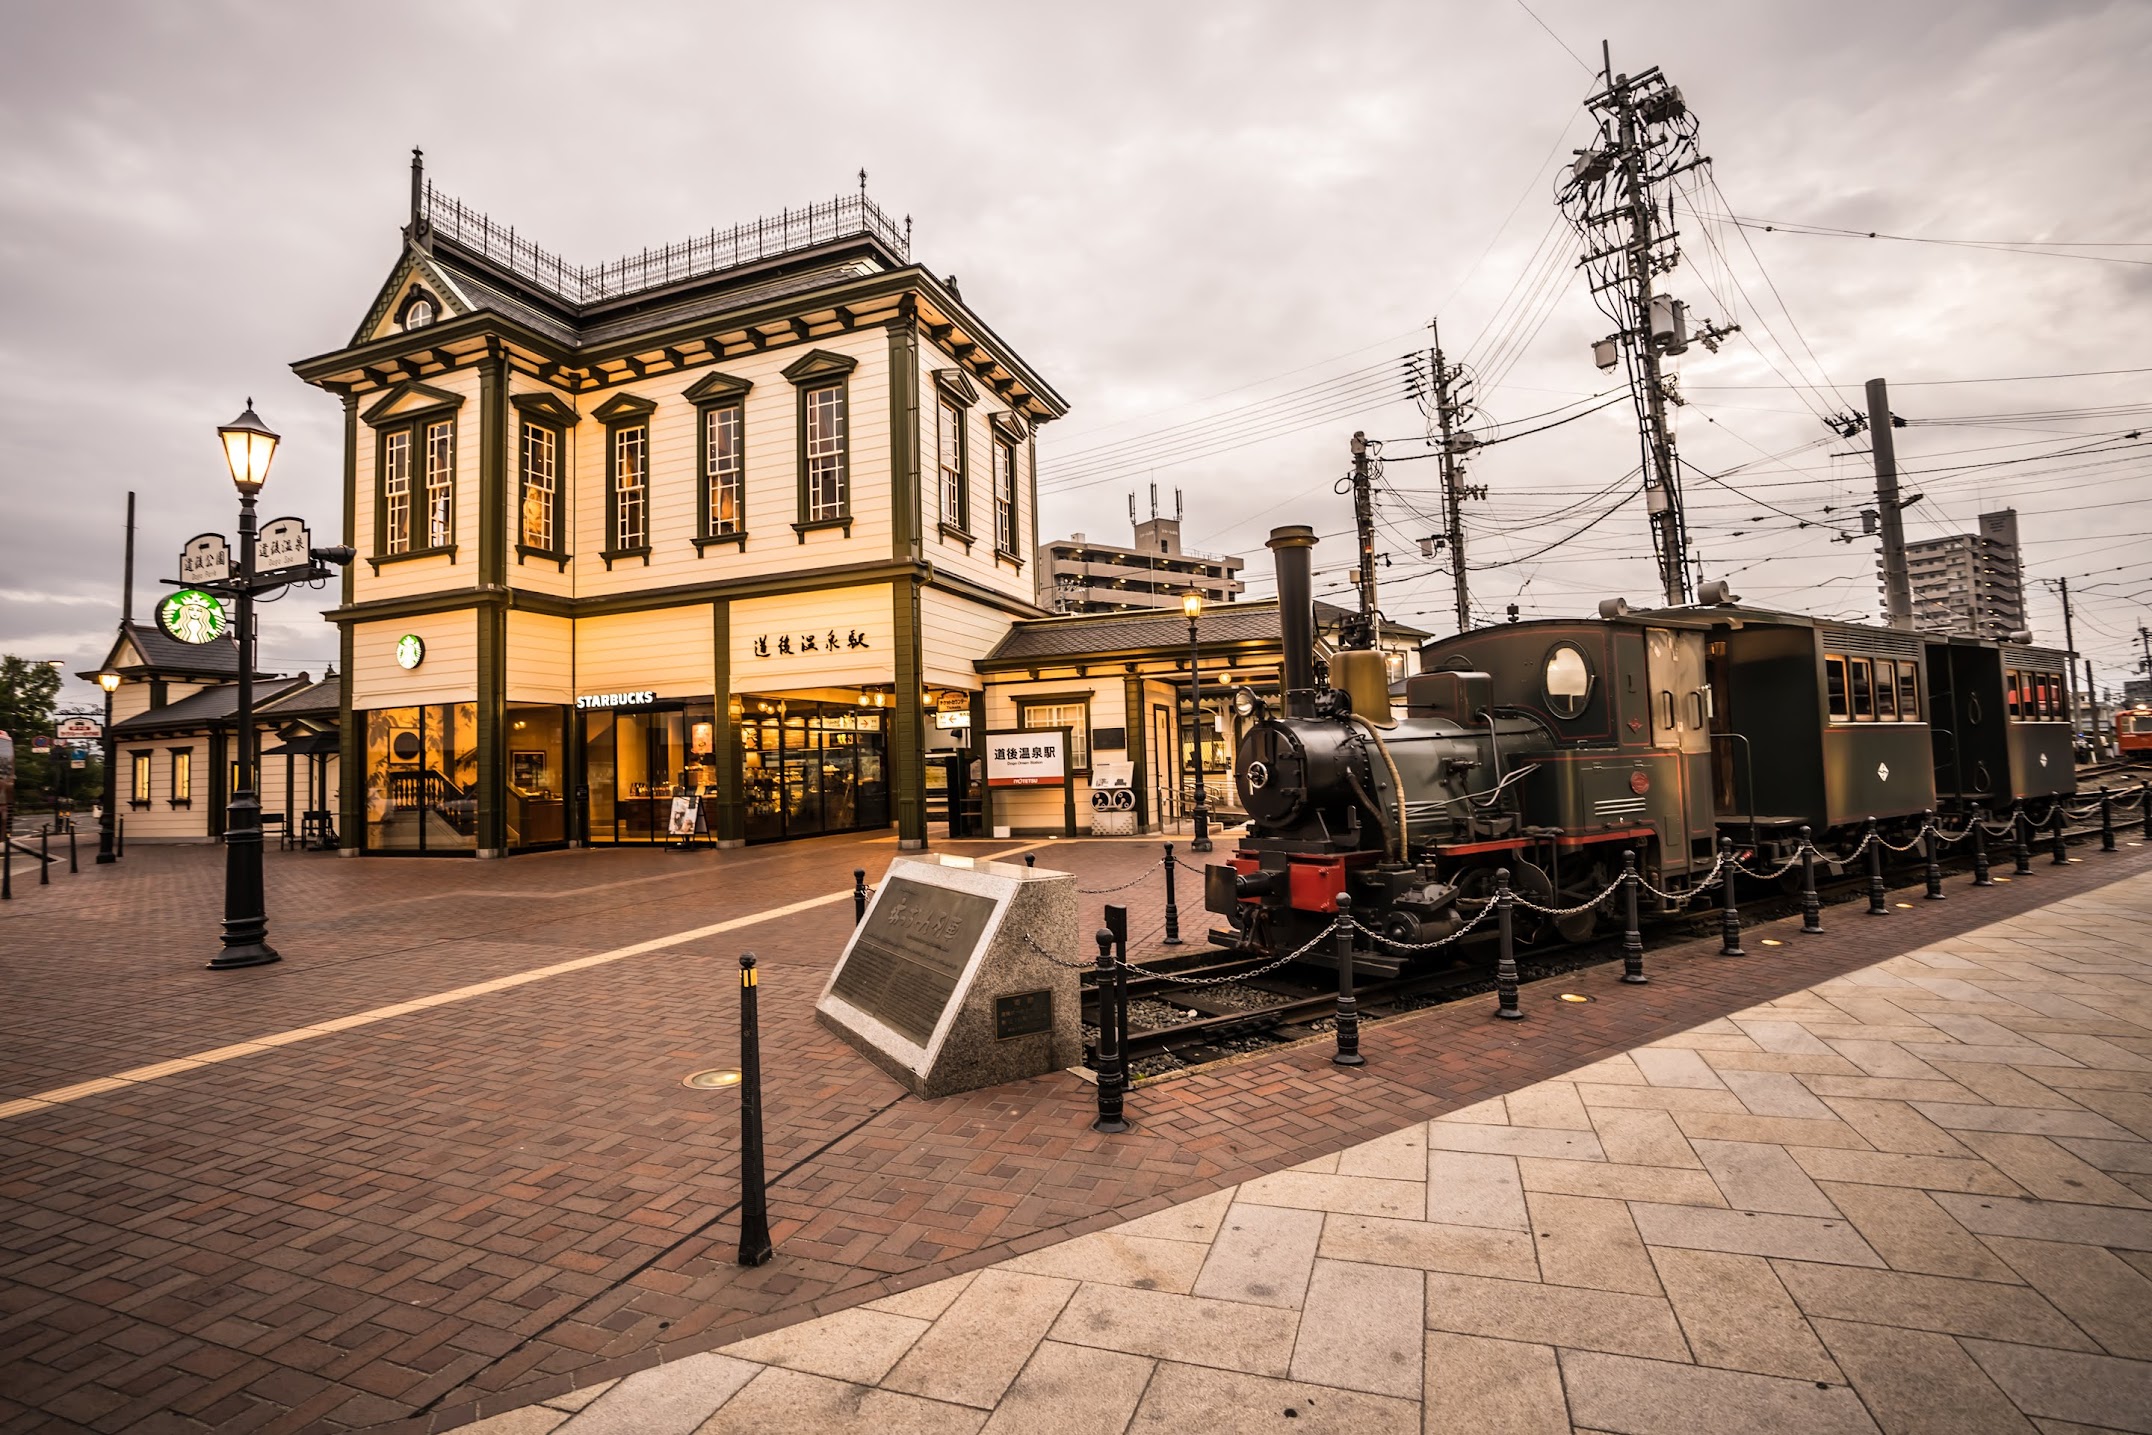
column 1299, row 1001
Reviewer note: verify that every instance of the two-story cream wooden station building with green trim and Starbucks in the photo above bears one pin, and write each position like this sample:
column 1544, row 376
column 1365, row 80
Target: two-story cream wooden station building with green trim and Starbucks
column 724, row 520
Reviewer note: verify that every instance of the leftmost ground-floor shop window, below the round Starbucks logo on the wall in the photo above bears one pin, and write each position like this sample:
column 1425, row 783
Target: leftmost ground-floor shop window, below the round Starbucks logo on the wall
column 423, row 780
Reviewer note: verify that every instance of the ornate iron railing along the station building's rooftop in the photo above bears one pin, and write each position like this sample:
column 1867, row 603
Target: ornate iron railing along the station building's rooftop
column 692, row 259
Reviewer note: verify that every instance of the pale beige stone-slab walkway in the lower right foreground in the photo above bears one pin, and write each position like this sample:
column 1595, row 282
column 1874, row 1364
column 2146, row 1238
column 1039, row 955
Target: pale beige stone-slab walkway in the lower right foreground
column 1916, row 1197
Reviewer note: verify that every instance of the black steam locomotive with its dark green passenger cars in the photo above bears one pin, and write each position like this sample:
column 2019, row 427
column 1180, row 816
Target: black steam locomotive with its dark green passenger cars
column 1553, row 748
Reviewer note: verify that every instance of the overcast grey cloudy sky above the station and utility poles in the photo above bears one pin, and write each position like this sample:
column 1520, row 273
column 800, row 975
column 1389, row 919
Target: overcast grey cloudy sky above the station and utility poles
column 1217, row 229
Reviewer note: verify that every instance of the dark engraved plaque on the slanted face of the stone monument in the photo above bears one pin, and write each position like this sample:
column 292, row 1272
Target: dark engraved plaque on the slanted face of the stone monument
column 911, row 952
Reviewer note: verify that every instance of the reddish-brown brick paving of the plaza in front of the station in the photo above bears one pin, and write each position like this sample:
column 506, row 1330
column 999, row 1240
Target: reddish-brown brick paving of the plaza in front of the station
column 477, row 1206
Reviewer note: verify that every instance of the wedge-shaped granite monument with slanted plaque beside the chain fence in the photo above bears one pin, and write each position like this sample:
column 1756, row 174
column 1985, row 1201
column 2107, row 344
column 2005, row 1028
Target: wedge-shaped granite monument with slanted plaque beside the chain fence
column 939, row 984
